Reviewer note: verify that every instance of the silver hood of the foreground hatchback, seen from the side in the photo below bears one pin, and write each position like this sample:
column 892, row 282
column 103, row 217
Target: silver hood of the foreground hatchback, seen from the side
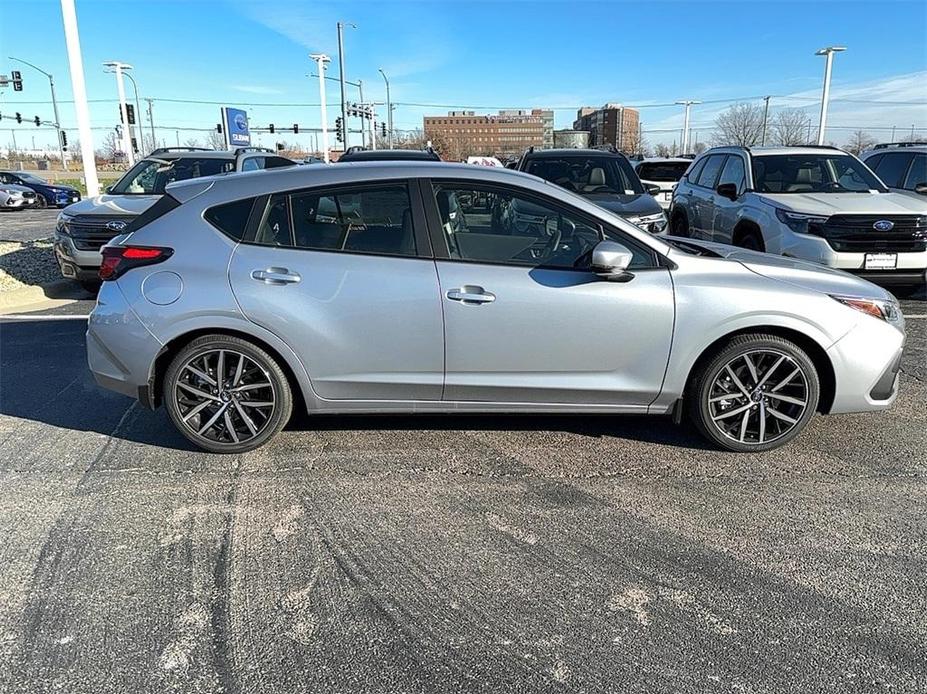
column 799, row 273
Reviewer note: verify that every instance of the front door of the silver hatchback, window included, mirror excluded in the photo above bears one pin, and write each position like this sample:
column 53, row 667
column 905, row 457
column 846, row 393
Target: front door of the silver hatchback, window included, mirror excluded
column 526, row 320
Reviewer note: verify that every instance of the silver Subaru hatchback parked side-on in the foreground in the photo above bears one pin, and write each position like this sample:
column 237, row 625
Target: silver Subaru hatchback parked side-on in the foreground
column 413, row 287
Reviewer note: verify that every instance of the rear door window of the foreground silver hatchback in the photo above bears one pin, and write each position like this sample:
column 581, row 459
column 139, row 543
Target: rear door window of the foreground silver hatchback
column 375, row 219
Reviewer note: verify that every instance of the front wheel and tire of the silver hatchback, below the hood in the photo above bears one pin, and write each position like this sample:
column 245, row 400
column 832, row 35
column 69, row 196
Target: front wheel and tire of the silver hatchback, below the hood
column 774, row 403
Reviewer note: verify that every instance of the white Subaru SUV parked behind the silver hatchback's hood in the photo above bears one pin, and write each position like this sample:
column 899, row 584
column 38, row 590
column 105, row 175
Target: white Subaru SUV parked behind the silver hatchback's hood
column 813, row 203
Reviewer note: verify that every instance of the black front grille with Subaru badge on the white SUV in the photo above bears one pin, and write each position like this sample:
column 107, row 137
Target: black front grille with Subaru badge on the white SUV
column 857, row 233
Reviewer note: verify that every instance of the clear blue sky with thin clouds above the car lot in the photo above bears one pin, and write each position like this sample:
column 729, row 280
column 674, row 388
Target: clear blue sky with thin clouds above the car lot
column 484, row 55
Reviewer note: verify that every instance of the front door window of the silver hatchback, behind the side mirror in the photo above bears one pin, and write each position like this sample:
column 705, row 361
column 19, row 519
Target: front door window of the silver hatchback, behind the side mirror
column 500, row 225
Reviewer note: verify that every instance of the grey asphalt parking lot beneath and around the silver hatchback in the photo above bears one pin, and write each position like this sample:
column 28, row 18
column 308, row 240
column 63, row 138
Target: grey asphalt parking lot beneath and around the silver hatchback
column 456, row 553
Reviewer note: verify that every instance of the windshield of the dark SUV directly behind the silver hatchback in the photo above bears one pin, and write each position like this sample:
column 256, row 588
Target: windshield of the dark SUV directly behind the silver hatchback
column 586, row 175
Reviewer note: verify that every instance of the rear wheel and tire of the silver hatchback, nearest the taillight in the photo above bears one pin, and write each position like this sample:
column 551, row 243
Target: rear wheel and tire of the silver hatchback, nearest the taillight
column 228, row 419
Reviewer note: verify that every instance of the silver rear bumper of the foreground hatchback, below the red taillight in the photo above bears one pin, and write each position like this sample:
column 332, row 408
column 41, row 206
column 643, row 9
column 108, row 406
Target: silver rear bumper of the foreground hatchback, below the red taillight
column 120, row 349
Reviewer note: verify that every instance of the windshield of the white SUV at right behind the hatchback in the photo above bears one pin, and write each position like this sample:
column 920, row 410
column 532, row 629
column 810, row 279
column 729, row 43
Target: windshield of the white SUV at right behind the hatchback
column 812, row 173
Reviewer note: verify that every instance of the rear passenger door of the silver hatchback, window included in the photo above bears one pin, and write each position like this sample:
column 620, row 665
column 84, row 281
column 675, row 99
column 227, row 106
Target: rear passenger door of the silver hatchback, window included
column 344, row 276
